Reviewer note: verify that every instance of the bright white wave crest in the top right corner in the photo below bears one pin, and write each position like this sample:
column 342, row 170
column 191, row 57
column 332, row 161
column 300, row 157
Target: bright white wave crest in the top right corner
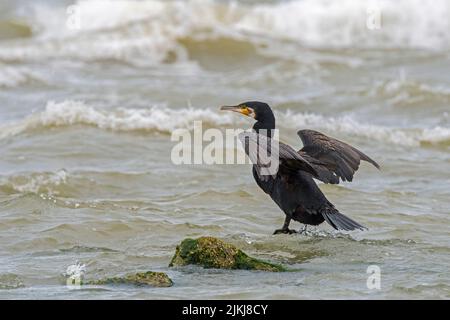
column 347, row 23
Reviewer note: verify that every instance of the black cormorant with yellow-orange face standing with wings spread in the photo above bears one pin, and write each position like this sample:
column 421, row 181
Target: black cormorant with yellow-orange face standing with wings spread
column 292, row 187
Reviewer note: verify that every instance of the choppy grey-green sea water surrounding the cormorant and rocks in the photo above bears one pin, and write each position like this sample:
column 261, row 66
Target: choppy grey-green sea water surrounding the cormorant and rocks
column 86, row 115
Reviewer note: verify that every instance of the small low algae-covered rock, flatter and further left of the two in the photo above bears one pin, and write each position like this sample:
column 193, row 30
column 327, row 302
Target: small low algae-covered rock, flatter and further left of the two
column 154, row 279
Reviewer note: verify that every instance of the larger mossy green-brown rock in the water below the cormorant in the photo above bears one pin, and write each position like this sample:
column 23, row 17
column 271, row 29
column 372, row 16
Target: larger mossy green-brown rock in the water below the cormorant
column 210, row 252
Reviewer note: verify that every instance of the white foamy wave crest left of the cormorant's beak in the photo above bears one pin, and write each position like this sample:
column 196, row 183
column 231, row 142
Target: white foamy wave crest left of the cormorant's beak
column 156, row 118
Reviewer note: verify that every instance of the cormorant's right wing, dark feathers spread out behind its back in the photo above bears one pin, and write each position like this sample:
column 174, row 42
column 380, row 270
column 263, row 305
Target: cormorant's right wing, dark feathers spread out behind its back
column 331, row 158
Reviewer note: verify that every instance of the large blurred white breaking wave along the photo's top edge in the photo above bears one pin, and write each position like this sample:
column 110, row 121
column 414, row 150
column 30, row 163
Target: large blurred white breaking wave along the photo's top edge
column 150, row 31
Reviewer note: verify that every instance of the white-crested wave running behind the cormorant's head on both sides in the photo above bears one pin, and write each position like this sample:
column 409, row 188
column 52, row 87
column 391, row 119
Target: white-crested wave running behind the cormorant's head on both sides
column 164, row 120
